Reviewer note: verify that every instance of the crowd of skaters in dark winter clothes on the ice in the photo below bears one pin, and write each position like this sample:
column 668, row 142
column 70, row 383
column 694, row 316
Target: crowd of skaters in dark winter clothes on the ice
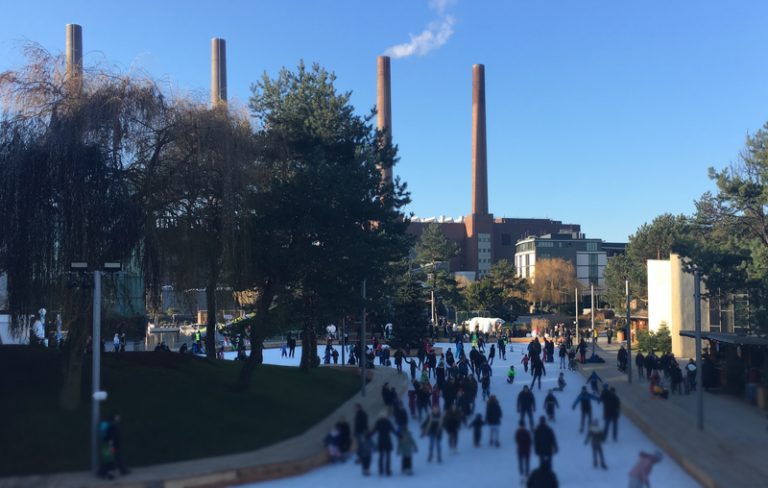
column 451, row 391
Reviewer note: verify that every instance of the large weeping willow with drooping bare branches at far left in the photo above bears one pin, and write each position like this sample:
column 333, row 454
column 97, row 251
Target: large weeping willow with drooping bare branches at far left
column 69, row 155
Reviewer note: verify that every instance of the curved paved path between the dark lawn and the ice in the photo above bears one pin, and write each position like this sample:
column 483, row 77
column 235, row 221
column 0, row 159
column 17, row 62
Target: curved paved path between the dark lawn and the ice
column 290, row 457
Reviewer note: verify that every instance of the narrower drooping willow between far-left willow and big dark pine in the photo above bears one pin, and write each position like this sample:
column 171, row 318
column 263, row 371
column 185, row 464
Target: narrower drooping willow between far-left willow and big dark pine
column 198, row 211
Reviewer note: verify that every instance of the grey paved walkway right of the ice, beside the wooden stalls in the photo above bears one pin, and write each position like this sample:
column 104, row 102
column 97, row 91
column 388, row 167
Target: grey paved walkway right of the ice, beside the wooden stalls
column 731, row 451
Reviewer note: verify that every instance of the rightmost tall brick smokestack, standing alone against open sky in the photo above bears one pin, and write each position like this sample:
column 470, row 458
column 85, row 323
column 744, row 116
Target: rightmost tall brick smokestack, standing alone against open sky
column 479, row 155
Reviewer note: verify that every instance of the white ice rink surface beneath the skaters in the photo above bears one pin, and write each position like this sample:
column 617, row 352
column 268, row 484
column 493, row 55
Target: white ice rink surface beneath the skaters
column 490, row 466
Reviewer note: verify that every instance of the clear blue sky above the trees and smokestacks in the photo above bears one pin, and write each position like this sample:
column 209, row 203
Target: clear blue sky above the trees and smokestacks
column 601, row 113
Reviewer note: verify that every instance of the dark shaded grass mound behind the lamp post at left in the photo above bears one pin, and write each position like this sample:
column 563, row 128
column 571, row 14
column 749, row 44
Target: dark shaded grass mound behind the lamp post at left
column 174, row 407
